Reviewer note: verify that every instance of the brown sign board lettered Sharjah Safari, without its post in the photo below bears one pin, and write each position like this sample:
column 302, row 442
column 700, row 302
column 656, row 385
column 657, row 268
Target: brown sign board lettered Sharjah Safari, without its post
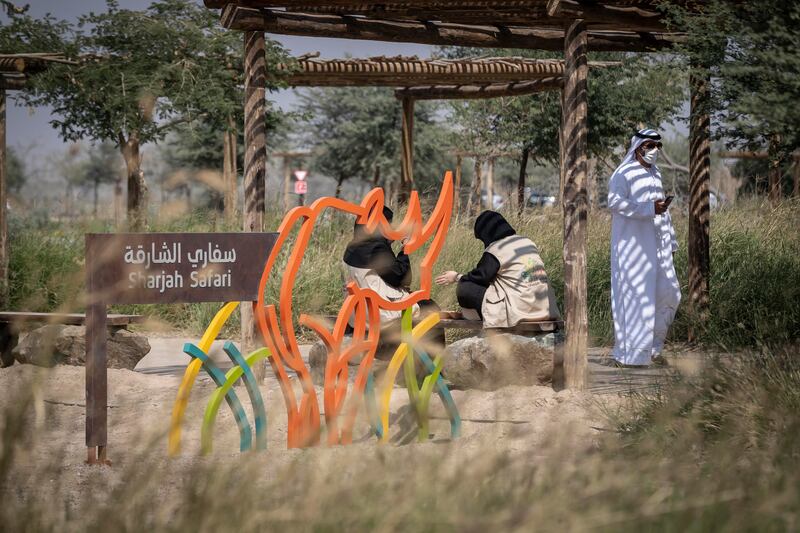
column 126, row 268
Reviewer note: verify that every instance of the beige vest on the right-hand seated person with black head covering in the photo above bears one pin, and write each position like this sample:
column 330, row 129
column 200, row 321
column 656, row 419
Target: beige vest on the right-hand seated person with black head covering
column 521, row 290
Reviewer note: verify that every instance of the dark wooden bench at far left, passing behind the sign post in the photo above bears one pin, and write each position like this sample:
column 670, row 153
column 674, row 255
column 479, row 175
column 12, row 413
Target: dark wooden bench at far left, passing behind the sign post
column 12, row 322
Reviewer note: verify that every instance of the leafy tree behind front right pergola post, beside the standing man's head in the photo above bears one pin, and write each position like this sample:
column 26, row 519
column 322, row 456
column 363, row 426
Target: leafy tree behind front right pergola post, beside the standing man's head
column 640, row 90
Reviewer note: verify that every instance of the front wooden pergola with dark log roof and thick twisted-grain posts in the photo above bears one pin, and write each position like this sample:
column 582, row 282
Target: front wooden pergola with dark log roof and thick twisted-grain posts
column 571, row 26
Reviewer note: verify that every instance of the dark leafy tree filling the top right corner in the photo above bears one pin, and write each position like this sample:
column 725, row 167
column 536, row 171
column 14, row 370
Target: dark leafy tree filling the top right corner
column 749, row 51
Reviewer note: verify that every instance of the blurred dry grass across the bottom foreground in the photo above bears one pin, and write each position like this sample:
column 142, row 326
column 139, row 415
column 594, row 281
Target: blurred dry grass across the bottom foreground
column 715, row 453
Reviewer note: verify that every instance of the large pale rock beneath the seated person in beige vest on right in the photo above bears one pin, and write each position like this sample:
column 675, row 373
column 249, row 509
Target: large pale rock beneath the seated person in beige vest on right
column 489, row 363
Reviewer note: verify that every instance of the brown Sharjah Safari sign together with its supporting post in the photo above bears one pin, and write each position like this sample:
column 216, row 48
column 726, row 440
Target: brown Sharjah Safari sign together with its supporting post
column 139, row 268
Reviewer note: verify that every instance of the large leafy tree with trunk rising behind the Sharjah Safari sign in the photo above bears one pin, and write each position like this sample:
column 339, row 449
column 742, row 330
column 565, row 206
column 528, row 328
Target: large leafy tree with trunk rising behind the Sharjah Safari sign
column 141, row 74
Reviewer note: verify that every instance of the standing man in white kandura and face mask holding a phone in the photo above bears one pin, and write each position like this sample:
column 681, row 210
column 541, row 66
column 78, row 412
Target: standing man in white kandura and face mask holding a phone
column 645, row 292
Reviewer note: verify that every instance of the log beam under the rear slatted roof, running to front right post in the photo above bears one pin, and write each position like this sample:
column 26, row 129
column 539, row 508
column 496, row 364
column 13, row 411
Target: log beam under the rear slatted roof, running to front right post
column 474, row 92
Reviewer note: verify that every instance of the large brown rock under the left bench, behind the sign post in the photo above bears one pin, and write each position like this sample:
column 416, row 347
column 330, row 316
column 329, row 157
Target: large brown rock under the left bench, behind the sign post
column 58, row 344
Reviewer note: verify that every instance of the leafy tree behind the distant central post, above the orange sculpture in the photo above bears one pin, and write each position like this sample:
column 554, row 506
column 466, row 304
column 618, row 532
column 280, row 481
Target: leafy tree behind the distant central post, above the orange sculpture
column 355, row 133
